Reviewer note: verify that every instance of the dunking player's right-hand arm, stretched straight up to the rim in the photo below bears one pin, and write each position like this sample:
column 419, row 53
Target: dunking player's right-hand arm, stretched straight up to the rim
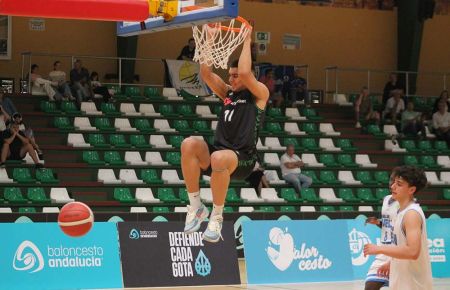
column 258, row 89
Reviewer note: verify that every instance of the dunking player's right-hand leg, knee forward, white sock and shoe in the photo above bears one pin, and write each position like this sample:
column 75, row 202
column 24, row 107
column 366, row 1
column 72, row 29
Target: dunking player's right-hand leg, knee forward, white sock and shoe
column 223, row 164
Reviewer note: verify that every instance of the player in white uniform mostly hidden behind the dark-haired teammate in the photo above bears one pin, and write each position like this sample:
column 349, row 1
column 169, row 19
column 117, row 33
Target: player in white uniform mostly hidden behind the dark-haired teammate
column 378, row 274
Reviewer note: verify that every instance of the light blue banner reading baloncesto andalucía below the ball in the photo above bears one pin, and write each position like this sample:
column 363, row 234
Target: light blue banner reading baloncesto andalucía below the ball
column 40, row 256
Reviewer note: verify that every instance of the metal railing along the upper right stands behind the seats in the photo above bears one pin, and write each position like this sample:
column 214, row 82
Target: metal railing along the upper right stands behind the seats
column 336, row 71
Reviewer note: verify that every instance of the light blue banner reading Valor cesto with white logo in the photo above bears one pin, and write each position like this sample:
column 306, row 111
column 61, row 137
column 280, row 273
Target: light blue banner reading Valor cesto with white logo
column 296, row 251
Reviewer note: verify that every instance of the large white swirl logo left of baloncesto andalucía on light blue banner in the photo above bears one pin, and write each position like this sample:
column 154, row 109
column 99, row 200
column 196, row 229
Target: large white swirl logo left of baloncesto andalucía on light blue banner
column 28, row 258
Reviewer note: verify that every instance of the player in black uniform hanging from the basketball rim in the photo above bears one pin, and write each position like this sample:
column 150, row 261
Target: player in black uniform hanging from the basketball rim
column 233, row 154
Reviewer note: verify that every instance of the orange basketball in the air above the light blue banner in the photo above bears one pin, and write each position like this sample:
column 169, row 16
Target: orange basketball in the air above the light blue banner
column 75, row 219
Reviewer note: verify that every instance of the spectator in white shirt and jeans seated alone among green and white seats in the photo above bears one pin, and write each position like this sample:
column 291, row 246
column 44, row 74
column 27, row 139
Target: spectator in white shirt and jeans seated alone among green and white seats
column 290, row 165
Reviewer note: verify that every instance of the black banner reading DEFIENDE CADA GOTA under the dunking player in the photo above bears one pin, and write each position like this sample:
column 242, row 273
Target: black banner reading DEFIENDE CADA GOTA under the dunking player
column 160, row 254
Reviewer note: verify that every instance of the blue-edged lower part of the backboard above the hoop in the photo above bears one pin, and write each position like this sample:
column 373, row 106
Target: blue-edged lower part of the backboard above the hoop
column 186, row 13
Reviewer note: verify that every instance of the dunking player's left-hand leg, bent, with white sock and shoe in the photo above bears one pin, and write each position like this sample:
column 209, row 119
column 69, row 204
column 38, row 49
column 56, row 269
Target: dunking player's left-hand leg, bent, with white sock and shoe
column 194, row 158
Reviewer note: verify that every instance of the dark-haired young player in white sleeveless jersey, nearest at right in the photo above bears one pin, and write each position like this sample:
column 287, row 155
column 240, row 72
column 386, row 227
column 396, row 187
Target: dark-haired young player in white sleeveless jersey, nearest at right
column 410, row 266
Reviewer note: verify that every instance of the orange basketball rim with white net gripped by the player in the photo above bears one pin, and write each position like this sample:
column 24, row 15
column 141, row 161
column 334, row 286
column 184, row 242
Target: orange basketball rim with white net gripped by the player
column 215, row 42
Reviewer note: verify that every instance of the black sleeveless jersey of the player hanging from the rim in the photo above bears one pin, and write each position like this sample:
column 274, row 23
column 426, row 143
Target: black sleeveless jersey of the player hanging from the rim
column 239, row 122
